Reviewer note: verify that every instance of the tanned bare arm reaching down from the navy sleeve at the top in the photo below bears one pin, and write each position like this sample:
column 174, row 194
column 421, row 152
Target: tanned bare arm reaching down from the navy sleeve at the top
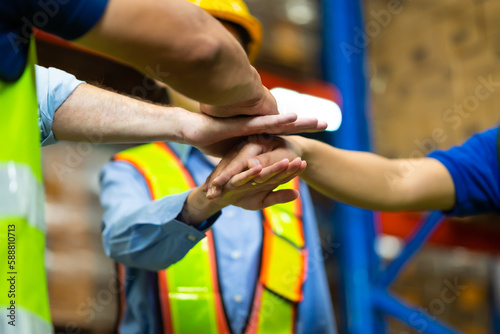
column 178, row 43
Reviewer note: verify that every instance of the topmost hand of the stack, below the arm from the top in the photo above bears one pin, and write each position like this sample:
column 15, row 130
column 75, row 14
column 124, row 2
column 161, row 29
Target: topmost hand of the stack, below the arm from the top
column 264, row 104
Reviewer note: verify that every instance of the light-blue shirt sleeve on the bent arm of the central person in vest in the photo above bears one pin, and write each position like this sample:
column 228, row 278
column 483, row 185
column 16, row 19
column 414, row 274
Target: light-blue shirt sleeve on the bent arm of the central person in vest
column 137, row 231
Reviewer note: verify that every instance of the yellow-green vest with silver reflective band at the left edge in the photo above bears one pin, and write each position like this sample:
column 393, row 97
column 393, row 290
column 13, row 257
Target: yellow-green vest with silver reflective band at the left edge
column 23, row 287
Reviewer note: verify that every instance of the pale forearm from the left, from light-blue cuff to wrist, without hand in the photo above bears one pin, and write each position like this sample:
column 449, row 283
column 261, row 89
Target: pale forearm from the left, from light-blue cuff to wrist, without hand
column 97, row 115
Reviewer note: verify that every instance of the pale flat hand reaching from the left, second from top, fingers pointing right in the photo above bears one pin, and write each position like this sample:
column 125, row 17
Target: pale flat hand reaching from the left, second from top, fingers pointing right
column 216, row 136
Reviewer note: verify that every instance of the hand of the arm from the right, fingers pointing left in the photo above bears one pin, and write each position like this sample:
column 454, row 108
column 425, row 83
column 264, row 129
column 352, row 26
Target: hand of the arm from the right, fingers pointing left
column 265, row 151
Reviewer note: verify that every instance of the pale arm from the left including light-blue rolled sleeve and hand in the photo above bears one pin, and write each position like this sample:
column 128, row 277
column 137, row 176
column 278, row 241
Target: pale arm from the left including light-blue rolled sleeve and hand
column 70, row 109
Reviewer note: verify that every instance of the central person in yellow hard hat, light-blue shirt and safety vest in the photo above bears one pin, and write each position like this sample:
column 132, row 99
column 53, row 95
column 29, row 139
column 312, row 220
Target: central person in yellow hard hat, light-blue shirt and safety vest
column 187, row 267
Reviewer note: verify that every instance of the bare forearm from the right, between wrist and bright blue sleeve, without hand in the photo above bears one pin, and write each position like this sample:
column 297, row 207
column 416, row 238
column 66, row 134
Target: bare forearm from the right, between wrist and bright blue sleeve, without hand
column 370, row 181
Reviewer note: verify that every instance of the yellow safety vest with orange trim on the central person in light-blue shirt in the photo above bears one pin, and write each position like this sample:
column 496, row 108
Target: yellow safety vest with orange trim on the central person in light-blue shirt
column 189, row 290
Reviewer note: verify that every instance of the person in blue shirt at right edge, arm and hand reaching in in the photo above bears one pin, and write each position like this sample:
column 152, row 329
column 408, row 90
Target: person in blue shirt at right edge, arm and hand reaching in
column 461, row 181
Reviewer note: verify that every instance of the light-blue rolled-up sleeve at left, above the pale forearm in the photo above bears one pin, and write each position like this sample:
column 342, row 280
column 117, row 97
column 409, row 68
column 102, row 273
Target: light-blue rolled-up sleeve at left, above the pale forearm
column 53, row 87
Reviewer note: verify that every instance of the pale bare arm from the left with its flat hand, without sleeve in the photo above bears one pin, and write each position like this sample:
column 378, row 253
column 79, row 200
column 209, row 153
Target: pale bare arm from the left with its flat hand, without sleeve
column 97, row 115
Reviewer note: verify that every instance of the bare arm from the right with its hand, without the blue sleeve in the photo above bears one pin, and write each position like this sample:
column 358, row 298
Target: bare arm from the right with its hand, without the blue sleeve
column 358, row 178
